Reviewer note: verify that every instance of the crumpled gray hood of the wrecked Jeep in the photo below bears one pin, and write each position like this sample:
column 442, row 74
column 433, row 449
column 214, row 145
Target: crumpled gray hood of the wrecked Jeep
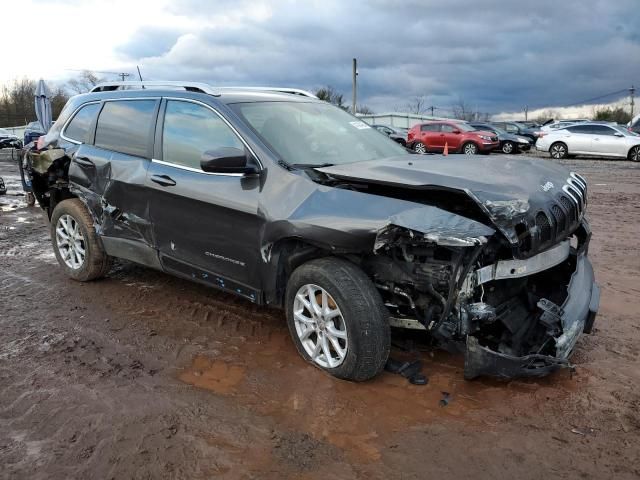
column 506, row 187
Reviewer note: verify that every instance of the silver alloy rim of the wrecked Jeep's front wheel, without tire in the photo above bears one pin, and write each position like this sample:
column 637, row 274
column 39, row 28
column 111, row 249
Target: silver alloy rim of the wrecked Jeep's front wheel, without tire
column 320, row 326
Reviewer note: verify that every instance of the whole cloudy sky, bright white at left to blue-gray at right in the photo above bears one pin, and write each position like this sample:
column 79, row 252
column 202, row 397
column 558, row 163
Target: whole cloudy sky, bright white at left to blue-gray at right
column 497, row 55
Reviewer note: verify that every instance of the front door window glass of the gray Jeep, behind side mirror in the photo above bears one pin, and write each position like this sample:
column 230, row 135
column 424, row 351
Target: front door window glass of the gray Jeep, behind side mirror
column 190, row 130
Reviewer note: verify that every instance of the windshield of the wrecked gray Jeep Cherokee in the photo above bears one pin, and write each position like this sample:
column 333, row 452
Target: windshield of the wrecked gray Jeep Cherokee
column 315, row 133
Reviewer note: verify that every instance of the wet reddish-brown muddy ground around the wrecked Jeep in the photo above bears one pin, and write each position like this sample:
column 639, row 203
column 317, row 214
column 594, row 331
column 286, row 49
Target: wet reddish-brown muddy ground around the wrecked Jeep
column 143, row 375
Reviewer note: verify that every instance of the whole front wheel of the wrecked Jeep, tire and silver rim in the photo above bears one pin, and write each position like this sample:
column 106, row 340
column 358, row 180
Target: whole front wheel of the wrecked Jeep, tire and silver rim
column 337, row 319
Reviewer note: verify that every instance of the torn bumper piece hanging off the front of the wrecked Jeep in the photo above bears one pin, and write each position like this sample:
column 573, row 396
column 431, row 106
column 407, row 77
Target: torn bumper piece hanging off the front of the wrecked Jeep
column 577, row 315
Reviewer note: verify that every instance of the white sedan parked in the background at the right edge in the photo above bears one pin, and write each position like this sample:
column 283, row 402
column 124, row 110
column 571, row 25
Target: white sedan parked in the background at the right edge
column 599, row 139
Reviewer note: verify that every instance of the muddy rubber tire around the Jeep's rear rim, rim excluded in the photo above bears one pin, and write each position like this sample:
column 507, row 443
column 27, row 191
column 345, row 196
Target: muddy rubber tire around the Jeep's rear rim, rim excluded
column 96, row 263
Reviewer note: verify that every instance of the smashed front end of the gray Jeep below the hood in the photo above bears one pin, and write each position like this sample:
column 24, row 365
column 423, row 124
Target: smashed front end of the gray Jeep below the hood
column 511, row 317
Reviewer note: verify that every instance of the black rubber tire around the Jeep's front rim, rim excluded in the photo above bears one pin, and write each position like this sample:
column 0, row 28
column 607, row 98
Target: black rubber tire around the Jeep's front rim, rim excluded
column 365, row 316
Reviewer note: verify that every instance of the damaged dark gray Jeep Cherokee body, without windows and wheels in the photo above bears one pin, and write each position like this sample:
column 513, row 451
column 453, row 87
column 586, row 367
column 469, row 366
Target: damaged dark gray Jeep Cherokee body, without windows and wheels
column 475, row 250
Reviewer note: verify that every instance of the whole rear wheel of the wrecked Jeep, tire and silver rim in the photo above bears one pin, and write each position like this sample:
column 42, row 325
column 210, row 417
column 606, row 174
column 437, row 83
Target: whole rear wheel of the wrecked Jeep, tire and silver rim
column 75, row 242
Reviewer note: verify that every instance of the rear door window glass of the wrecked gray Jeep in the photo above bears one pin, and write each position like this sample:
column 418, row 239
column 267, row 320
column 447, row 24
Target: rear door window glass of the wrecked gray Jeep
column 125, row 126
